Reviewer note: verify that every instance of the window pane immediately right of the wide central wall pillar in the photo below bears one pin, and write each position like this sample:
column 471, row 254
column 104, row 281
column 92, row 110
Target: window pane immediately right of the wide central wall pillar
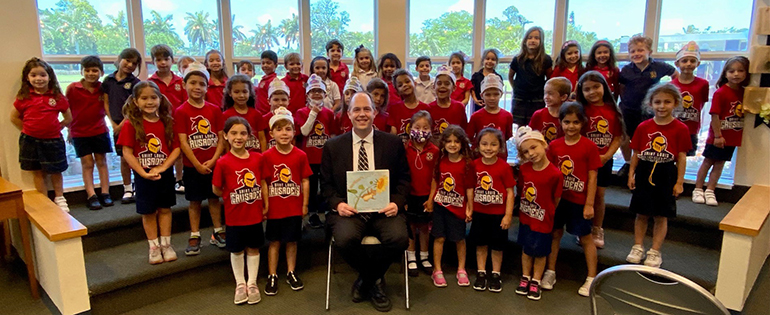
column 437, row 28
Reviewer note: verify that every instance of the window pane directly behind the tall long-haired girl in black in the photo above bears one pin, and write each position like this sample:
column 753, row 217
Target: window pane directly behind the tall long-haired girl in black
column 507, row 21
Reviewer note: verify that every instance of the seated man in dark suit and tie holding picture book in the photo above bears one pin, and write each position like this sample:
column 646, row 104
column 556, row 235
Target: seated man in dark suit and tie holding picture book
column 366, row 149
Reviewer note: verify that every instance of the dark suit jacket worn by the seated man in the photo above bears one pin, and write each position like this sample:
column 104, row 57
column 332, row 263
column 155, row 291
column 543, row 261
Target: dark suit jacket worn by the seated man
column 337, row 159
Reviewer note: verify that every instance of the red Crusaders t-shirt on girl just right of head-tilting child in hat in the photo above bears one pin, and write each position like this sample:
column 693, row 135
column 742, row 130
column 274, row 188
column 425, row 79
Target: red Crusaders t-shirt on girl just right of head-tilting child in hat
column 575, row 161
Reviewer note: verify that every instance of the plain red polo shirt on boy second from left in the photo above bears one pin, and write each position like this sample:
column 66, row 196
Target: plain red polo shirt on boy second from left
column 87, row 110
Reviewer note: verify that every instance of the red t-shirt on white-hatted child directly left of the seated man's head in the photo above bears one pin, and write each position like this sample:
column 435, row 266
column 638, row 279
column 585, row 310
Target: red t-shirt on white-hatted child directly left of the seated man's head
column 323, row 130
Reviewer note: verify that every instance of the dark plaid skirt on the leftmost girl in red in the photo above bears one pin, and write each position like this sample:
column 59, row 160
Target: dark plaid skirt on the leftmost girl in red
column 47, row 155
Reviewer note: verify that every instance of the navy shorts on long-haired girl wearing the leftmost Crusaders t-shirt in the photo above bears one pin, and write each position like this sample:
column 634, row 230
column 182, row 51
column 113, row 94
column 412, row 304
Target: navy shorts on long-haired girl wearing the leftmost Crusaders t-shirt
column 153, row 194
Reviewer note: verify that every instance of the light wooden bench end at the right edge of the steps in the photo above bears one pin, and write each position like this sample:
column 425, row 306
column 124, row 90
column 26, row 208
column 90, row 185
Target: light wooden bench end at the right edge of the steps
column 745, row 246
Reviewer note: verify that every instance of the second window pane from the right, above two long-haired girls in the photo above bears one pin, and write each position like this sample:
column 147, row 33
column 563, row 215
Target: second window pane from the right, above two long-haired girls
column 614, row 21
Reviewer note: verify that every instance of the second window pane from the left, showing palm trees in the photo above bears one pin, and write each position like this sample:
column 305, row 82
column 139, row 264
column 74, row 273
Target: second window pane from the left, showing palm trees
column 189, row 28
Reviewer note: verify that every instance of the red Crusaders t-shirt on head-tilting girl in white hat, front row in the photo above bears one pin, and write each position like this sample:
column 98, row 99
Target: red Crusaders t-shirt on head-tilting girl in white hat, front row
column 539, row 191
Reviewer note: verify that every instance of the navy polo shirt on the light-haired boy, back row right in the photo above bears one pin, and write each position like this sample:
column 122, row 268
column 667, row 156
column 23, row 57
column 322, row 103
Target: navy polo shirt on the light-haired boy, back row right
column 637, row 82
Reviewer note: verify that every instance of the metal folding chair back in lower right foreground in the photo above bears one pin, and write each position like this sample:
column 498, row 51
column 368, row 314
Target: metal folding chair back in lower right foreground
column 639, row 289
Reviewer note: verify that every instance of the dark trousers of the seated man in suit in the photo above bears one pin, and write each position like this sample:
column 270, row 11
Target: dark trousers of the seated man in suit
column 370, row 261
